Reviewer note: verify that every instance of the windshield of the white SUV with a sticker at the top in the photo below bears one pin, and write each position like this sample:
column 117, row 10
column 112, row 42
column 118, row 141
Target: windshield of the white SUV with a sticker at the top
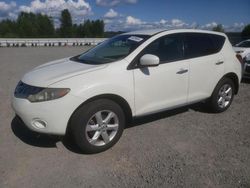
column 111, row 50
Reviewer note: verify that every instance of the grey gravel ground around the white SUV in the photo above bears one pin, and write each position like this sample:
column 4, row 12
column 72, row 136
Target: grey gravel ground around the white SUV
column 187, row 147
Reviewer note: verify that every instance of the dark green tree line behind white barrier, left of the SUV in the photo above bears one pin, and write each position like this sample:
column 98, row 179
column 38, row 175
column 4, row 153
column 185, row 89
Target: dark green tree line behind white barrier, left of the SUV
column 30, row 25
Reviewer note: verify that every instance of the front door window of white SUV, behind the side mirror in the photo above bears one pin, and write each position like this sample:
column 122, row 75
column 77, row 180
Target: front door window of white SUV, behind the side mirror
column 168, row 48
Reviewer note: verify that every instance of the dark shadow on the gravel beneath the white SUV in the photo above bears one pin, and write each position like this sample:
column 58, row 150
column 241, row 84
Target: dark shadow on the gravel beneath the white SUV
column 49, row 141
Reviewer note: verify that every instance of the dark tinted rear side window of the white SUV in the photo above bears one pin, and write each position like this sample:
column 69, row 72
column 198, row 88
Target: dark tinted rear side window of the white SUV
column 201, row 44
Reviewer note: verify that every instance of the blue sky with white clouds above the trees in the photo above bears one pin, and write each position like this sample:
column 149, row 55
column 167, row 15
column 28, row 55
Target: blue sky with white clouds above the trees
column 141, row 14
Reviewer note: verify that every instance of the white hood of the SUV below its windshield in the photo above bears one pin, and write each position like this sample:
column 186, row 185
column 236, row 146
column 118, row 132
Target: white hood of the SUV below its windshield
column 55, row 71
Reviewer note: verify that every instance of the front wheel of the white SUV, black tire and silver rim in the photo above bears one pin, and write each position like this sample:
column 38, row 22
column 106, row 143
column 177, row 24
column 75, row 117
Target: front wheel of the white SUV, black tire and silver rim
column 97, row 125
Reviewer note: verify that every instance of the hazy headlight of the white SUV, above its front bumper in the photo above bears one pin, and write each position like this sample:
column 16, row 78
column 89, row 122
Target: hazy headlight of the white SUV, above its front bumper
column 48, row 94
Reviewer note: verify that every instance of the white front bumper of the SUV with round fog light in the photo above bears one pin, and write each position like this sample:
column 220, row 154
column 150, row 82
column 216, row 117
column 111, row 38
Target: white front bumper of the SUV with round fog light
column 55, row 114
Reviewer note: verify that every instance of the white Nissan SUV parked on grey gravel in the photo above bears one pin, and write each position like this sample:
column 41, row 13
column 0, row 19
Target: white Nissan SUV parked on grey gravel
column 94, row 94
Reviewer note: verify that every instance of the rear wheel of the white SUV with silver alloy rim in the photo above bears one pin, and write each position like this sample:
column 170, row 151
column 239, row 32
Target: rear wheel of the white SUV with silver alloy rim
column 222, row 96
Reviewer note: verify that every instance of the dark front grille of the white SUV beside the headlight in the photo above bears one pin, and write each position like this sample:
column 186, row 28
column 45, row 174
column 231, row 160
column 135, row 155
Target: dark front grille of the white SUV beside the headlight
column 24, row 90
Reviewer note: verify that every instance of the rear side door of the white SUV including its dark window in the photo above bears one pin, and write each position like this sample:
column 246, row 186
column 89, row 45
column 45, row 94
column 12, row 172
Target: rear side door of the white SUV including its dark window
column 206, row 63
